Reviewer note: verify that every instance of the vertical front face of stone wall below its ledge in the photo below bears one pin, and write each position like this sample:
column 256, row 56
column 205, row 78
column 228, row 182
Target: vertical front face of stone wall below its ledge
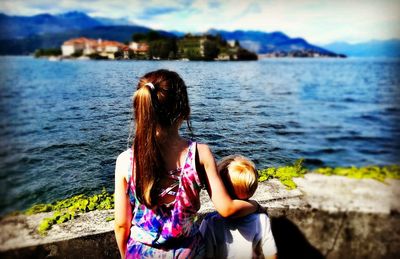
column 299, row 233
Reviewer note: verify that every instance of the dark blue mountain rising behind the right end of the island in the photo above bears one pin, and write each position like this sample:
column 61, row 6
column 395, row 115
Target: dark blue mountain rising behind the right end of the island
column 263, row 42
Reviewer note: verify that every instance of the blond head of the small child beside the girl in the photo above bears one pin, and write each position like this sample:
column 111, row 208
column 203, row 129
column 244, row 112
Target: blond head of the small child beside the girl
column 239, row 176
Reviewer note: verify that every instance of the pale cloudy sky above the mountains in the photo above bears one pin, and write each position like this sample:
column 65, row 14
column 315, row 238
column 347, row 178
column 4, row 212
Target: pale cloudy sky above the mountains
column 318, row 21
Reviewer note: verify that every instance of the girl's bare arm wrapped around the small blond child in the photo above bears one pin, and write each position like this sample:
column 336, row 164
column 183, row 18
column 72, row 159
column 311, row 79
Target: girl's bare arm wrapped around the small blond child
column 223, row 203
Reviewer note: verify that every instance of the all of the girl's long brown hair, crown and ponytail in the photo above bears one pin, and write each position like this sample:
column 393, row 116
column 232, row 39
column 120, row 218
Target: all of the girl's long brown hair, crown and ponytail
column 156, row 108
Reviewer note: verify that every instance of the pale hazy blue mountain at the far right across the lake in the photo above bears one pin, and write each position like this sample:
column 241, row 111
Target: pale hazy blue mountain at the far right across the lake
column 375, row 48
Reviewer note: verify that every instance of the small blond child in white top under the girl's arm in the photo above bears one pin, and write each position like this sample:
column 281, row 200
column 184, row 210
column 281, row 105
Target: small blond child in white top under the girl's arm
column 245, row 237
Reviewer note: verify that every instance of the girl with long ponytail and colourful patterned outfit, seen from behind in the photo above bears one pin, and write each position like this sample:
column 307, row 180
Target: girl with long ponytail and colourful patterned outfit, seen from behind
column 157, row 181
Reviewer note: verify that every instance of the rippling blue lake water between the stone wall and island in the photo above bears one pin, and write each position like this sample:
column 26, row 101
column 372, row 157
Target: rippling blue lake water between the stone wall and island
column 62, row 124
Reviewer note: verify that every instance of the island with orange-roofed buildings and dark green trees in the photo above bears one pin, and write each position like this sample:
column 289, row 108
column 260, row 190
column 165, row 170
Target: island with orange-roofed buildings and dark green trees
column 152, row 46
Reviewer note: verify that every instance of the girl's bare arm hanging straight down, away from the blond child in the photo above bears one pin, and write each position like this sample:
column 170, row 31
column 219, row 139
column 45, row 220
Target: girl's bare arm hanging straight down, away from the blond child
column 123, row 209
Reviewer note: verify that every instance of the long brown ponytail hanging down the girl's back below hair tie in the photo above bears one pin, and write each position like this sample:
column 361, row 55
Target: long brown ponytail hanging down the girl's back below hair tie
column 148, row 160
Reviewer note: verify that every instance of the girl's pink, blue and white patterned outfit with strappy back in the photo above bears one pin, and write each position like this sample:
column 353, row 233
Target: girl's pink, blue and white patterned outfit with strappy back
column 169, row 231
